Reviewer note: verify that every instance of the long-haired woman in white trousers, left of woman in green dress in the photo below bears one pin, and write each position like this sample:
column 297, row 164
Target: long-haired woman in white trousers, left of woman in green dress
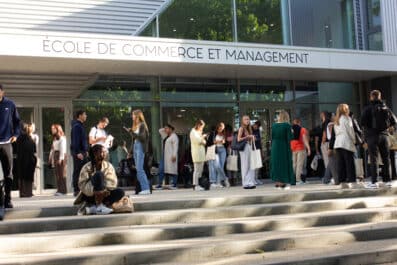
column 245, row 135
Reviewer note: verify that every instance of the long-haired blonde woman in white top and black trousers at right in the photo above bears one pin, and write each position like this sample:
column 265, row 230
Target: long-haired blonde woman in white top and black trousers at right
column 345, row 146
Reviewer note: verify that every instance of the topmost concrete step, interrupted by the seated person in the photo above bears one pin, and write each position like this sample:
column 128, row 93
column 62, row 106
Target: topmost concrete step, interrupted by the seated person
column 63, row 206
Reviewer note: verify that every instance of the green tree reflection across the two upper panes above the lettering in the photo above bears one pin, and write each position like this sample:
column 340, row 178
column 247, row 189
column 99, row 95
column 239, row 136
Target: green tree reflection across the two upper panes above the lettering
column 257, row 20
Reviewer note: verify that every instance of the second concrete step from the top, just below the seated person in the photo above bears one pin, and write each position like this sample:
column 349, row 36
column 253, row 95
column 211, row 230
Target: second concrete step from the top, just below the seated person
column 191, row 215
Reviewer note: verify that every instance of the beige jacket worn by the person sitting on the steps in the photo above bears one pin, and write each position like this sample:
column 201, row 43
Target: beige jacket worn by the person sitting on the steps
column 85, row 184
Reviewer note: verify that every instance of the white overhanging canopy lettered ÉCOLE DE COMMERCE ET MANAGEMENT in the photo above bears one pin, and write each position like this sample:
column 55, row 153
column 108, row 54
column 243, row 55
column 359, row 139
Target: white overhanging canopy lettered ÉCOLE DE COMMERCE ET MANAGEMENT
column 78, row 58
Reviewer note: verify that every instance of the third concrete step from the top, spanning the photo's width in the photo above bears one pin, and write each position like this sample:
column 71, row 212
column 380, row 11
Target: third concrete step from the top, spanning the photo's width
column 52, row 241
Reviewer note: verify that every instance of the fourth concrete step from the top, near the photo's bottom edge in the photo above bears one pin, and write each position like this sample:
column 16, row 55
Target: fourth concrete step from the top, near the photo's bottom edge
column 202, row 249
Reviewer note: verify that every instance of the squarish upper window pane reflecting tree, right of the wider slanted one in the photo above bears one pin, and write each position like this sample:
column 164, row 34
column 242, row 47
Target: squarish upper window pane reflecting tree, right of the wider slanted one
column 259, row 21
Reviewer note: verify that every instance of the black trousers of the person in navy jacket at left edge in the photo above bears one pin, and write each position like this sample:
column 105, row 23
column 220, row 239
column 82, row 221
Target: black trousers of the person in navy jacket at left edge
column 6, row 159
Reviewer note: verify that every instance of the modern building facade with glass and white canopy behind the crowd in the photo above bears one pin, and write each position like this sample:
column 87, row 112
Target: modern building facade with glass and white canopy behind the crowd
column 186, row 59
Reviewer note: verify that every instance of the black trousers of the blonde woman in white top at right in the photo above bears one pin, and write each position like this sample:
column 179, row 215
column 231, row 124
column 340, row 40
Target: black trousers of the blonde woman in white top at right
column 345, row 164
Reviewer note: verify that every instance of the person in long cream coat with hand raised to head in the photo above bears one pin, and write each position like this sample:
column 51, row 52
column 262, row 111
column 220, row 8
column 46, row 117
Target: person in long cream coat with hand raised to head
column 169, row 161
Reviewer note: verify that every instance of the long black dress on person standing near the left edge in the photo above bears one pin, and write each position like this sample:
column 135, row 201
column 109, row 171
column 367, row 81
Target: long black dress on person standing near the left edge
column 25, row 164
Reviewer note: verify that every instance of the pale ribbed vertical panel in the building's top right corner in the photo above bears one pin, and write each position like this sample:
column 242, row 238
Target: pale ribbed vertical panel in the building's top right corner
column 389, row 25
